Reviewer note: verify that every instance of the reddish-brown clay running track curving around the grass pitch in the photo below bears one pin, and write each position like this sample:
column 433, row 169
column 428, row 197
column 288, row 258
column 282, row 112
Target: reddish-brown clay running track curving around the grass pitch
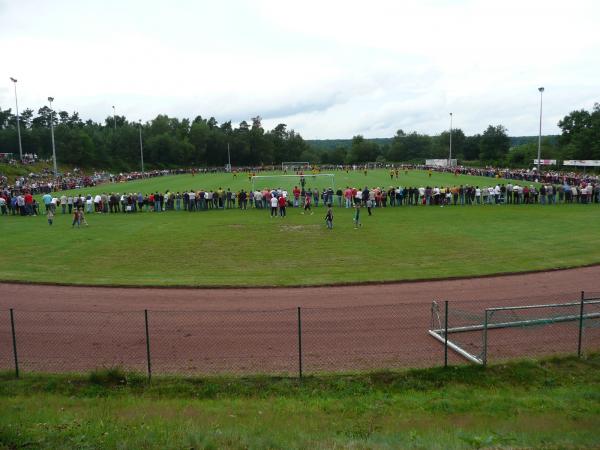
column 255, row 330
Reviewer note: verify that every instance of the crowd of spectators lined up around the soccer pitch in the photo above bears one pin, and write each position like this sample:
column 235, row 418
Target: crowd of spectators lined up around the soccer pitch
column 507, row 186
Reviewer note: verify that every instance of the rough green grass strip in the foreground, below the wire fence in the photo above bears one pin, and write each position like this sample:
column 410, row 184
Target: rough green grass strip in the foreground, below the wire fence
column 550, row 404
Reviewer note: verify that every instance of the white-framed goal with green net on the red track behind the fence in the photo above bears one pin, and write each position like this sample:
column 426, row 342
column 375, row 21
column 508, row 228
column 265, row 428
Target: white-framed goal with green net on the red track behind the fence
column 517, row 331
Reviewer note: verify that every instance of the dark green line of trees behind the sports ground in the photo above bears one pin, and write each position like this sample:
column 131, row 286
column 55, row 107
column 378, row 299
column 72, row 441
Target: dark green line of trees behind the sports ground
column 171, row 142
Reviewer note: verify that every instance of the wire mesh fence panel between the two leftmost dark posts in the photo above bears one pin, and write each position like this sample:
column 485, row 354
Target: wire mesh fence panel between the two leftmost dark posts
column 68, row 341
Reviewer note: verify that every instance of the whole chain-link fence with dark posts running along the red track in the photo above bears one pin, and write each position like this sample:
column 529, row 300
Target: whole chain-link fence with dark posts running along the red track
column 298, row 341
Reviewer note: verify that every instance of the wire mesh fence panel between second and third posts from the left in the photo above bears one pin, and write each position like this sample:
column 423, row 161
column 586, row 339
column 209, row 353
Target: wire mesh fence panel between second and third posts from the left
column 204, row 342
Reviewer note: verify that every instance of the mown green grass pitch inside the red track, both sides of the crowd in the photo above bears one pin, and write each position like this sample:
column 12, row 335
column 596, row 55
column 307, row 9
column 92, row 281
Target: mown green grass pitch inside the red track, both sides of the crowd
column 248, row 248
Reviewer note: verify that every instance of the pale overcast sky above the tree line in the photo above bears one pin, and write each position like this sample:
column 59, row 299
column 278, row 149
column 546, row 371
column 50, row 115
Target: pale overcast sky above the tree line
column 328, row 69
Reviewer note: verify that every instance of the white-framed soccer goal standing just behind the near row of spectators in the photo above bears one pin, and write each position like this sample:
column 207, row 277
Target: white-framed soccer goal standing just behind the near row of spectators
column 319, row 183
